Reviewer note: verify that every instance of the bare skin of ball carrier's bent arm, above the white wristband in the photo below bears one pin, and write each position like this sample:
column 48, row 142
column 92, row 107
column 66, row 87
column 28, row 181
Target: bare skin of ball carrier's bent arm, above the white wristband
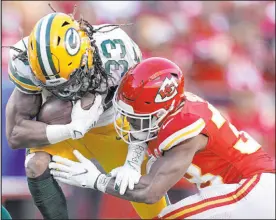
column 21, row 131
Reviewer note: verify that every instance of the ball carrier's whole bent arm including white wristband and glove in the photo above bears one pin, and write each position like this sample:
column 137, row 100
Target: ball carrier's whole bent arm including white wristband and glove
column 23, row 132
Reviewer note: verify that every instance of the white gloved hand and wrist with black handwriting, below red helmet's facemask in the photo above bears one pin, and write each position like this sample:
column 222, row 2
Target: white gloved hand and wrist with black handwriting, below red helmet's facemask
column 129, row 174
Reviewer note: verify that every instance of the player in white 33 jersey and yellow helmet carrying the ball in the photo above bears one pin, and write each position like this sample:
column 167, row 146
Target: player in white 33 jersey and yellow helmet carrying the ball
column 67, row 58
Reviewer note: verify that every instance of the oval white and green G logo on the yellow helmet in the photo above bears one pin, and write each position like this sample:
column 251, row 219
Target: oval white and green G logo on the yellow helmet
column 72, row 41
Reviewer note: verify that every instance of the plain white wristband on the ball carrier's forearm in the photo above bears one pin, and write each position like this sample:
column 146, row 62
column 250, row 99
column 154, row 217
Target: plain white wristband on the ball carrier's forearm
column 57, row 133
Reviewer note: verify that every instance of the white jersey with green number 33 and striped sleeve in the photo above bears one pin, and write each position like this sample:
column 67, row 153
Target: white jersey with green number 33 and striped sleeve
column 118, row 53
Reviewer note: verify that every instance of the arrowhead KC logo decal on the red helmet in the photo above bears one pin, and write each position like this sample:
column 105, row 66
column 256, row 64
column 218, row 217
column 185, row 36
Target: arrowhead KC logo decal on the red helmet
column 167, row 90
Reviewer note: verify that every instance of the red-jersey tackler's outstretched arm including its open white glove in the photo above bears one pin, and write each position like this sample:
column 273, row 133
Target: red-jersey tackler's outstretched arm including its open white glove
column 164, row 173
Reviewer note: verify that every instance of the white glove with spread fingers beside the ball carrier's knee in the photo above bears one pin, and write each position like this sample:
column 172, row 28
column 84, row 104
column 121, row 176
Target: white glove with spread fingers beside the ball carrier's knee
column 81, row 174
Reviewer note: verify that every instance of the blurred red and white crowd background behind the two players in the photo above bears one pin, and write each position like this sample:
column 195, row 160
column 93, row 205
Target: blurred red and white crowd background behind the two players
column 225, row 48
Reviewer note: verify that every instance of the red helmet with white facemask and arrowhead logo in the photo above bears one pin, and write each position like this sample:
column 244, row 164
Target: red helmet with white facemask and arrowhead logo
column 148, row 93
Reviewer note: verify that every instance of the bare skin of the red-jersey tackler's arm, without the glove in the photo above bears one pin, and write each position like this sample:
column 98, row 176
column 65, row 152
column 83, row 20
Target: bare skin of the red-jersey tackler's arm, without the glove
column 164, row 173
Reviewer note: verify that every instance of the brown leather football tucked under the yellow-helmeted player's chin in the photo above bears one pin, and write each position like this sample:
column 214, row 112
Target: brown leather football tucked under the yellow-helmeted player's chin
column 55, row 111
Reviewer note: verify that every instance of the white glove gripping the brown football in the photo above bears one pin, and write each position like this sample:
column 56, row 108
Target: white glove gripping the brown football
column 84, row 120
